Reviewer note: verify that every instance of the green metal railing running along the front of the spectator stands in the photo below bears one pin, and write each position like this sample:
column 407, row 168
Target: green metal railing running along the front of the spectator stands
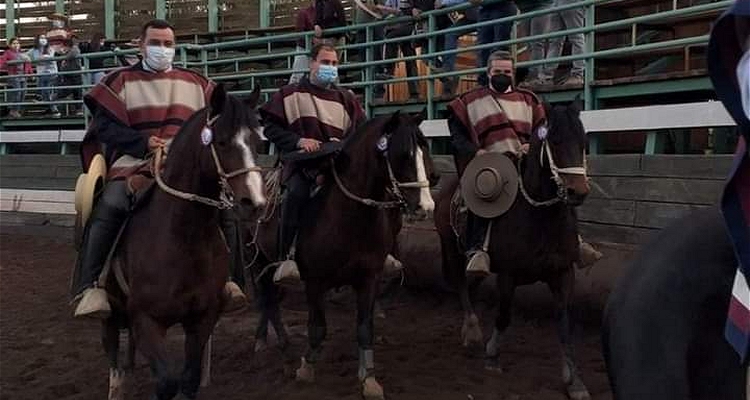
column 210, row 57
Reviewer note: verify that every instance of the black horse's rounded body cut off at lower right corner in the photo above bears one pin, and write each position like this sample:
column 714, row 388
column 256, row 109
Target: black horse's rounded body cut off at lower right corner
column 663, row 331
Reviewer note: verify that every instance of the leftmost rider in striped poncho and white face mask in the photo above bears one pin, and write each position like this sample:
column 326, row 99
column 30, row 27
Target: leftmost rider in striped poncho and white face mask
column 136, row 110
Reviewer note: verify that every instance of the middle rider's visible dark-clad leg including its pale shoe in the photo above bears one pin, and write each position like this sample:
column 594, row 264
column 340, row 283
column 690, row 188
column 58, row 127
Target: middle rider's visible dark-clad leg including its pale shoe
column 297, row 194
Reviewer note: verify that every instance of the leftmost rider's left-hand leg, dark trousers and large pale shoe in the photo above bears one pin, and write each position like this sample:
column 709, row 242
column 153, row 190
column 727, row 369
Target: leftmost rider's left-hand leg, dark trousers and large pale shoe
column 105, row 222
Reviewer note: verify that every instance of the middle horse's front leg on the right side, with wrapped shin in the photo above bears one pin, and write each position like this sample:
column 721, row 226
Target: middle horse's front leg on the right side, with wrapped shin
column 366, row 293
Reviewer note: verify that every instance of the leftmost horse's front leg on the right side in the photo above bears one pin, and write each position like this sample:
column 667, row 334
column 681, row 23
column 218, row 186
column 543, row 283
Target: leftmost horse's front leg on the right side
column 196, row 336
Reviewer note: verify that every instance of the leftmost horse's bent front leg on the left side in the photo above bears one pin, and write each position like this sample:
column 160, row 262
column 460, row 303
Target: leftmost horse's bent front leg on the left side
column 150, row 338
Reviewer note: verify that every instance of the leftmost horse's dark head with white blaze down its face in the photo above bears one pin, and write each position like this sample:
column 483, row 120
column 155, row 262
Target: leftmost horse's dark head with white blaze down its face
column 236, row 128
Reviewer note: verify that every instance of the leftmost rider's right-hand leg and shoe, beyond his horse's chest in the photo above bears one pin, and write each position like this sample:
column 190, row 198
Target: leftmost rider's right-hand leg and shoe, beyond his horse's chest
column 230, row 227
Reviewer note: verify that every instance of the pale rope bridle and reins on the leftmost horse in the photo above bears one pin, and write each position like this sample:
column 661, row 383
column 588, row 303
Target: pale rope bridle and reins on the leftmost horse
column 226, row 194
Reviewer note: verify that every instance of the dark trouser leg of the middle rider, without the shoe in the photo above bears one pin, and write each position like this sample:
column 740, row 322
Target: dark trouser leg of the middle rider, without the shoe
column 297, row 192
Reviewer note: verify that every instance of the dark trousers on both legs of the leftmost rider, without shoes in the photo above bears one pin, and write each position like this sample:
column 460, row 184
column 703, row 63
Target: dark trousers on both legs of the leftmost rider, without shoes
column 107, row 217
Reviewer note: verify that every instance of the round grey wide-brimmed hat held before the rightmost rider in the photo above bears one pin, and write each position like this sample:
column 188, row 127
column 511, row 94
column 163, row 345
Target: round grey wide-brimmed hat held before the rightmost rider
column 489, row 184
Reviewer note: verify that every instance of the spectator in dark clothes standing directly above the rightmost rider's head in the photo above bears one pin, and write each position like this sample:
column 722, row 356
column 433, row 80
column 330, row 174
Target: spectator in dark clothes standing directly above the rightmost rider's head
column 493, row 33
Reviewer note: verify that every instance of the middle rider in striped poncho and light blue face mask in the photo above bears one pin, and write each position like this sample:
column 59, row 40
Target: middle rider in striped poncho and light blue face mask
column 302, row 117
